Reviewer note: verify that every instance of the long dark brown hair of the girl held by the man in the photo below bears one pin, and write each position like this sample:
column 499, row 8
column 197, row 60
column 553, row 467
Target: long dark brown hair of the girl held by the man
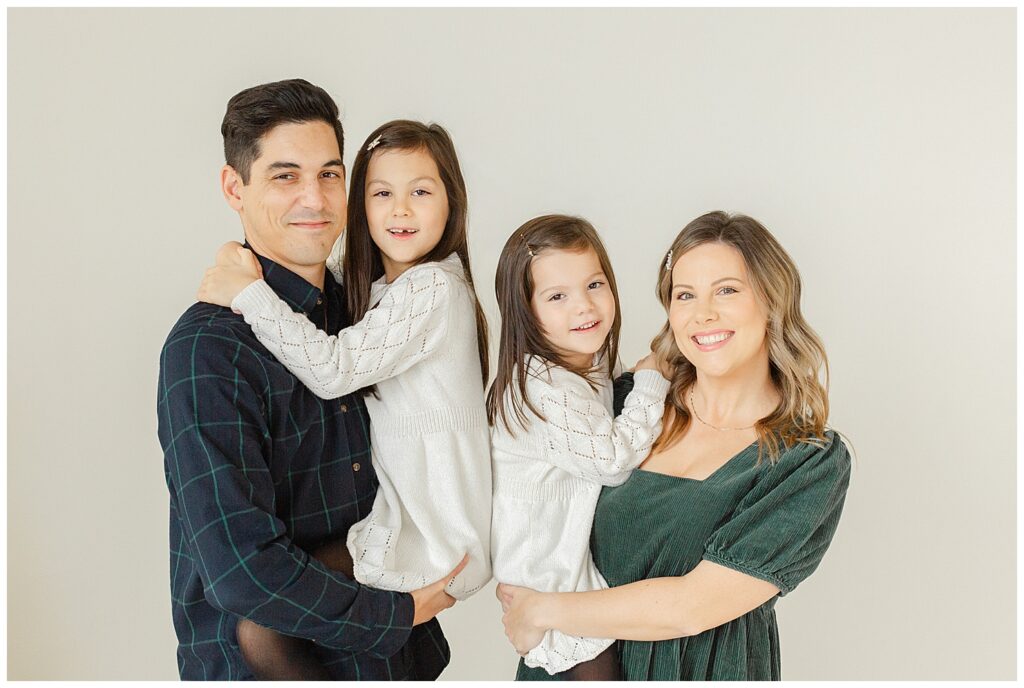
column 362, row 264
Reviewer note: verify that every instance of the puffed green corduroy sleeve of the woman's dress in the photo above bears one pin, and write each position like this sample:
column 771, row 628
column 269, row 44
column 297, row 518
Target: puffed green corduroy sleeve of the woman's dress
column 783, row 528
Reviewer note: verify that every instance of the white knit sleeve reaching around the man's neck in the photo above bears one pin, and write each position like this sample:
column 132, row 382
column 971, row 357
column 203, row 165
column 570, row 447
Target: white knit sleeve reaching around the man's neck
column 407, row 326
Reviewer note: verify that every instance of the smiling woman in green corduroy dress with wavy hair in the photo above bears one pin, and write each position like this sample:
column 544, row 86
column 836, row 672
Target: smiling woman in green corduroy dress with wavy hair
column 743, row 492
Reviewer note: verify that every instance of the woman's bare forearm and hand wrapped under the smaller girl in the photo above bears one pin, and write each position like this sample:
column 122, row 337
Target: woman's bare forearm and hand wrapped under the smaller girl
column 653, row 610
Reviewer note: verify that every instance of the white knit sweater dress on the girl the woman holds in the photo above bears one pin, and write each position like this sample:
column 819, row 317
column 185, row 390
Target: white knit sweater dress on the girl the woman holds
column 547, row 482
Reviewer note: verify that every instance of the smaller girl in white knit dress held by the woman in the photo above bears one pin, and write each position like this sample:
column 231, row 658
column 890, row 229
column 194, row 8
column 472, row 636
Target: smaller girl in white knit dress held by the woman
column 554, row 441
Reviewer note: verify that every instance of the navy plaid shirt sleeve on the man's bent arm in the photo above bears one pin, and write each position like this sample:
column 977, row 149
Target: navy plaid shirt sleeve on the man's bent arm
column 215, row 437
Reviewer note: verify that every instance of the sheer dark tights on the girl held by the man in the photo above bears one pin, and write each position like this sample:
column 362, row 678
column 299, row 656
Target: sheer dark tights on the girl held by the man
column 275, row 657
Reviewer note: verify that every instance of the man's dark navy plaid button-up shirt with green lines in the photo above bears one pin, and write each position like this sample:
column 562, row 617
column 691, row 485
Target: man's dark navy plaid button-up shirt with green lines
column 262, row 472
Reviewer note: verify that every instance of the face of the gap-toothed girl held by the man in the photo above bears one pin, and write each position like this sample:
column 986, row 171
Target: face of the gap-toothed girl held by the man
column 407, row 207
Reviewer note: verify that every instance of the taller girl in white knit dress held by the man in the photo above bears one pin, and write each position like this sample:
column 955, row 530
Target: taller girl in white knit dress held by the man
column 418, row 350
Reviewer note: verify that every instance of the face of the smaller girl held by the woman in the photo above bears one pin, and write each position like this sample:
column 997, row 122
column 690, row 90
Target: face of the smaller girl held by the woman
column 573, row 303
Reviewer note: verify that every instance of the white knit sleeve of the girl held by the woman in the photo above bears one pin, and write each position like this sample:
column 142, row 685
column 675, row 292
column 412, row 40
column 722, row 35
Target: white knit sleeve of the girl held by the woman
column 582, row 437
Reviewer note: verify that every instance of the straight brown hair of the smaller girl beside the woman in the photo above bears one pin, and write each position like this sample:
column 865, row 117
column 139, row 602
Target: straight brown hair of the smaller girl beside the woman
column 522, row 334
